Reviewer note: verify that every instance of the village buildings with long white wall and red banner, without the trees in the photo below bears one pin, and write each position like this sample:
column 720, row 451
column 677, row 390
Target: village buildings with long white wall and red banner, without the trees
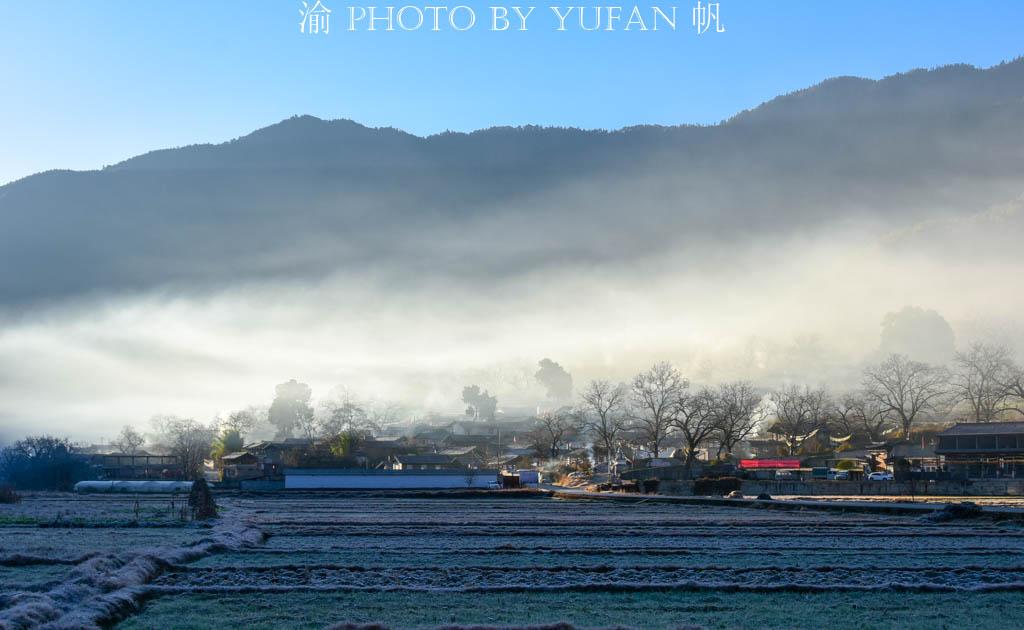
column 967, row 459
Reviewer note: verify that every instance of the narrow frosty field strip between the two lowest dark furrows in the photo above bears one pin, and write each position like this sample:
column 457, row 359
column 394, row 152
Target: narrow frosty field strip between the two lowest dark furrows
column 600, row 578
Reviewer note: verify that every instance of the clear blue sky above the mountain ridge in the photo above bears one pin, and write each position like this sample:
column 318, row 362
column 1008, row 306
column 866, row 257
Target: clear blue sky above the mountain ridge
column 89, row 83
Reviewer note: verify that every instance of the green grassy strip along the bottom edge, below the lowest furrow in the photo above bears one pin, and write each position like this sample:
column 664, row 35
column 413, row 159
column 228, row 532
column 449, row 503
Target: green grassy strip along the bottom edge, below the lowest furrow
column 647, row 610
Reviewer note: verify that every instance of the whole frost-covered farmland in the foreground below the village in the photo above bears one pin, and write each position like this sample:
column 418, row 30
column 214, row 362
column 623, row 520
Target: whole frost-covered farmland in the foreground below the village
column 319, row 560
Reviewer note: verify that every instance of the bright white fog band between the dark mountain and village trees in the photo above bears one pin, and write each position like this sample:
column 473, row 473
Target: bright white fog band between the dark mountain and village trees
column 805, row 308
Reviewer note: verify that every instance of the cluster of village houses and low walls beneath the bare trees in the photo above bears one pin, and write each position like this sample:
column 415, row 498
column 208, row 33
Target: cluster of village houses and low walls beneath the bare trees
column 473, row 453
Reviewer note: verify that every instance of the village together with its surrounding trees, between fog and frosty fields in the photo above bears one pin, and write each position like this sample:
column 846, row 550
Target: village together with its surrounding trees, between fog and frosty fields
column 656, row 435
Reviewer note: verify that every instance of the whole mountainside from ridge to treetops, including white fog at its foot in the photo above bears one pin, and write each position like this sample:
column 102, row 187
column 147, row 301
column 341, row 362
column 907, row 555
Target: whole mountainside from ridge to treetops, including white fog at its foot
column 772, row 247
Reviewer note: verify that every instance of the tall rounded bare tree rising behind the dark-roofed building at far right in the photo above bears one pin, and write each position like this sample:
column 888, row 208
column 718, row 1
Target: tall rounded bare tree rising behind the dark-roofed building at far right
column 980, row 380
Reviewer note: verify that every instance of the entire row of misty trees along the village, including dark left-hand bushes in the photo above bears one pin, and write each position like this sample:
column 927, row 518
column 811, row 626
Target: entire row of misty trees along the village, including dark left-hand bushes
column 984, row 384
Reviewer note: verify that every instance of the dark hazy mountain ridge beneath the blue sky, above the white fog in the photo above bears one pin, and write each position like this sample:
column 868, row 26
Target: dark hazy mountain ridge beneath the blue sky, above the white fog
column 307, row 197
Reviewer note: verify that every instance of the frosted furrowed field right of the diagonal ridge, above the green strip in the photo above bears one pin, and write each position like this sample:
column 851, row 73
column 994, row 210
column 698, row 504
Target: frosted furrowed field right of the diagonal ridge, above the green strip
column 404, row 545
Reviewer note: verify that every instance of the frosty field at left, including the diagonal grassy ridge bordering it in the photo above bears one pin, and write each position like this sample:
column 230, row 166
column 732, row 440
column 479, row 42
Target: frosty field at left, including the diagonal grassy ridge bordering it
column 74, row 562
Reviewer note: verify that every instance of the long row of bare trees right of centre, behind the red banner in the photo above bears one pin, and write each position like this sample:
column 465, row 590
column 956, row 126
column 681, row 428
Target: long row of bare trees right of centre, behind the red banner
column 983, row 385
